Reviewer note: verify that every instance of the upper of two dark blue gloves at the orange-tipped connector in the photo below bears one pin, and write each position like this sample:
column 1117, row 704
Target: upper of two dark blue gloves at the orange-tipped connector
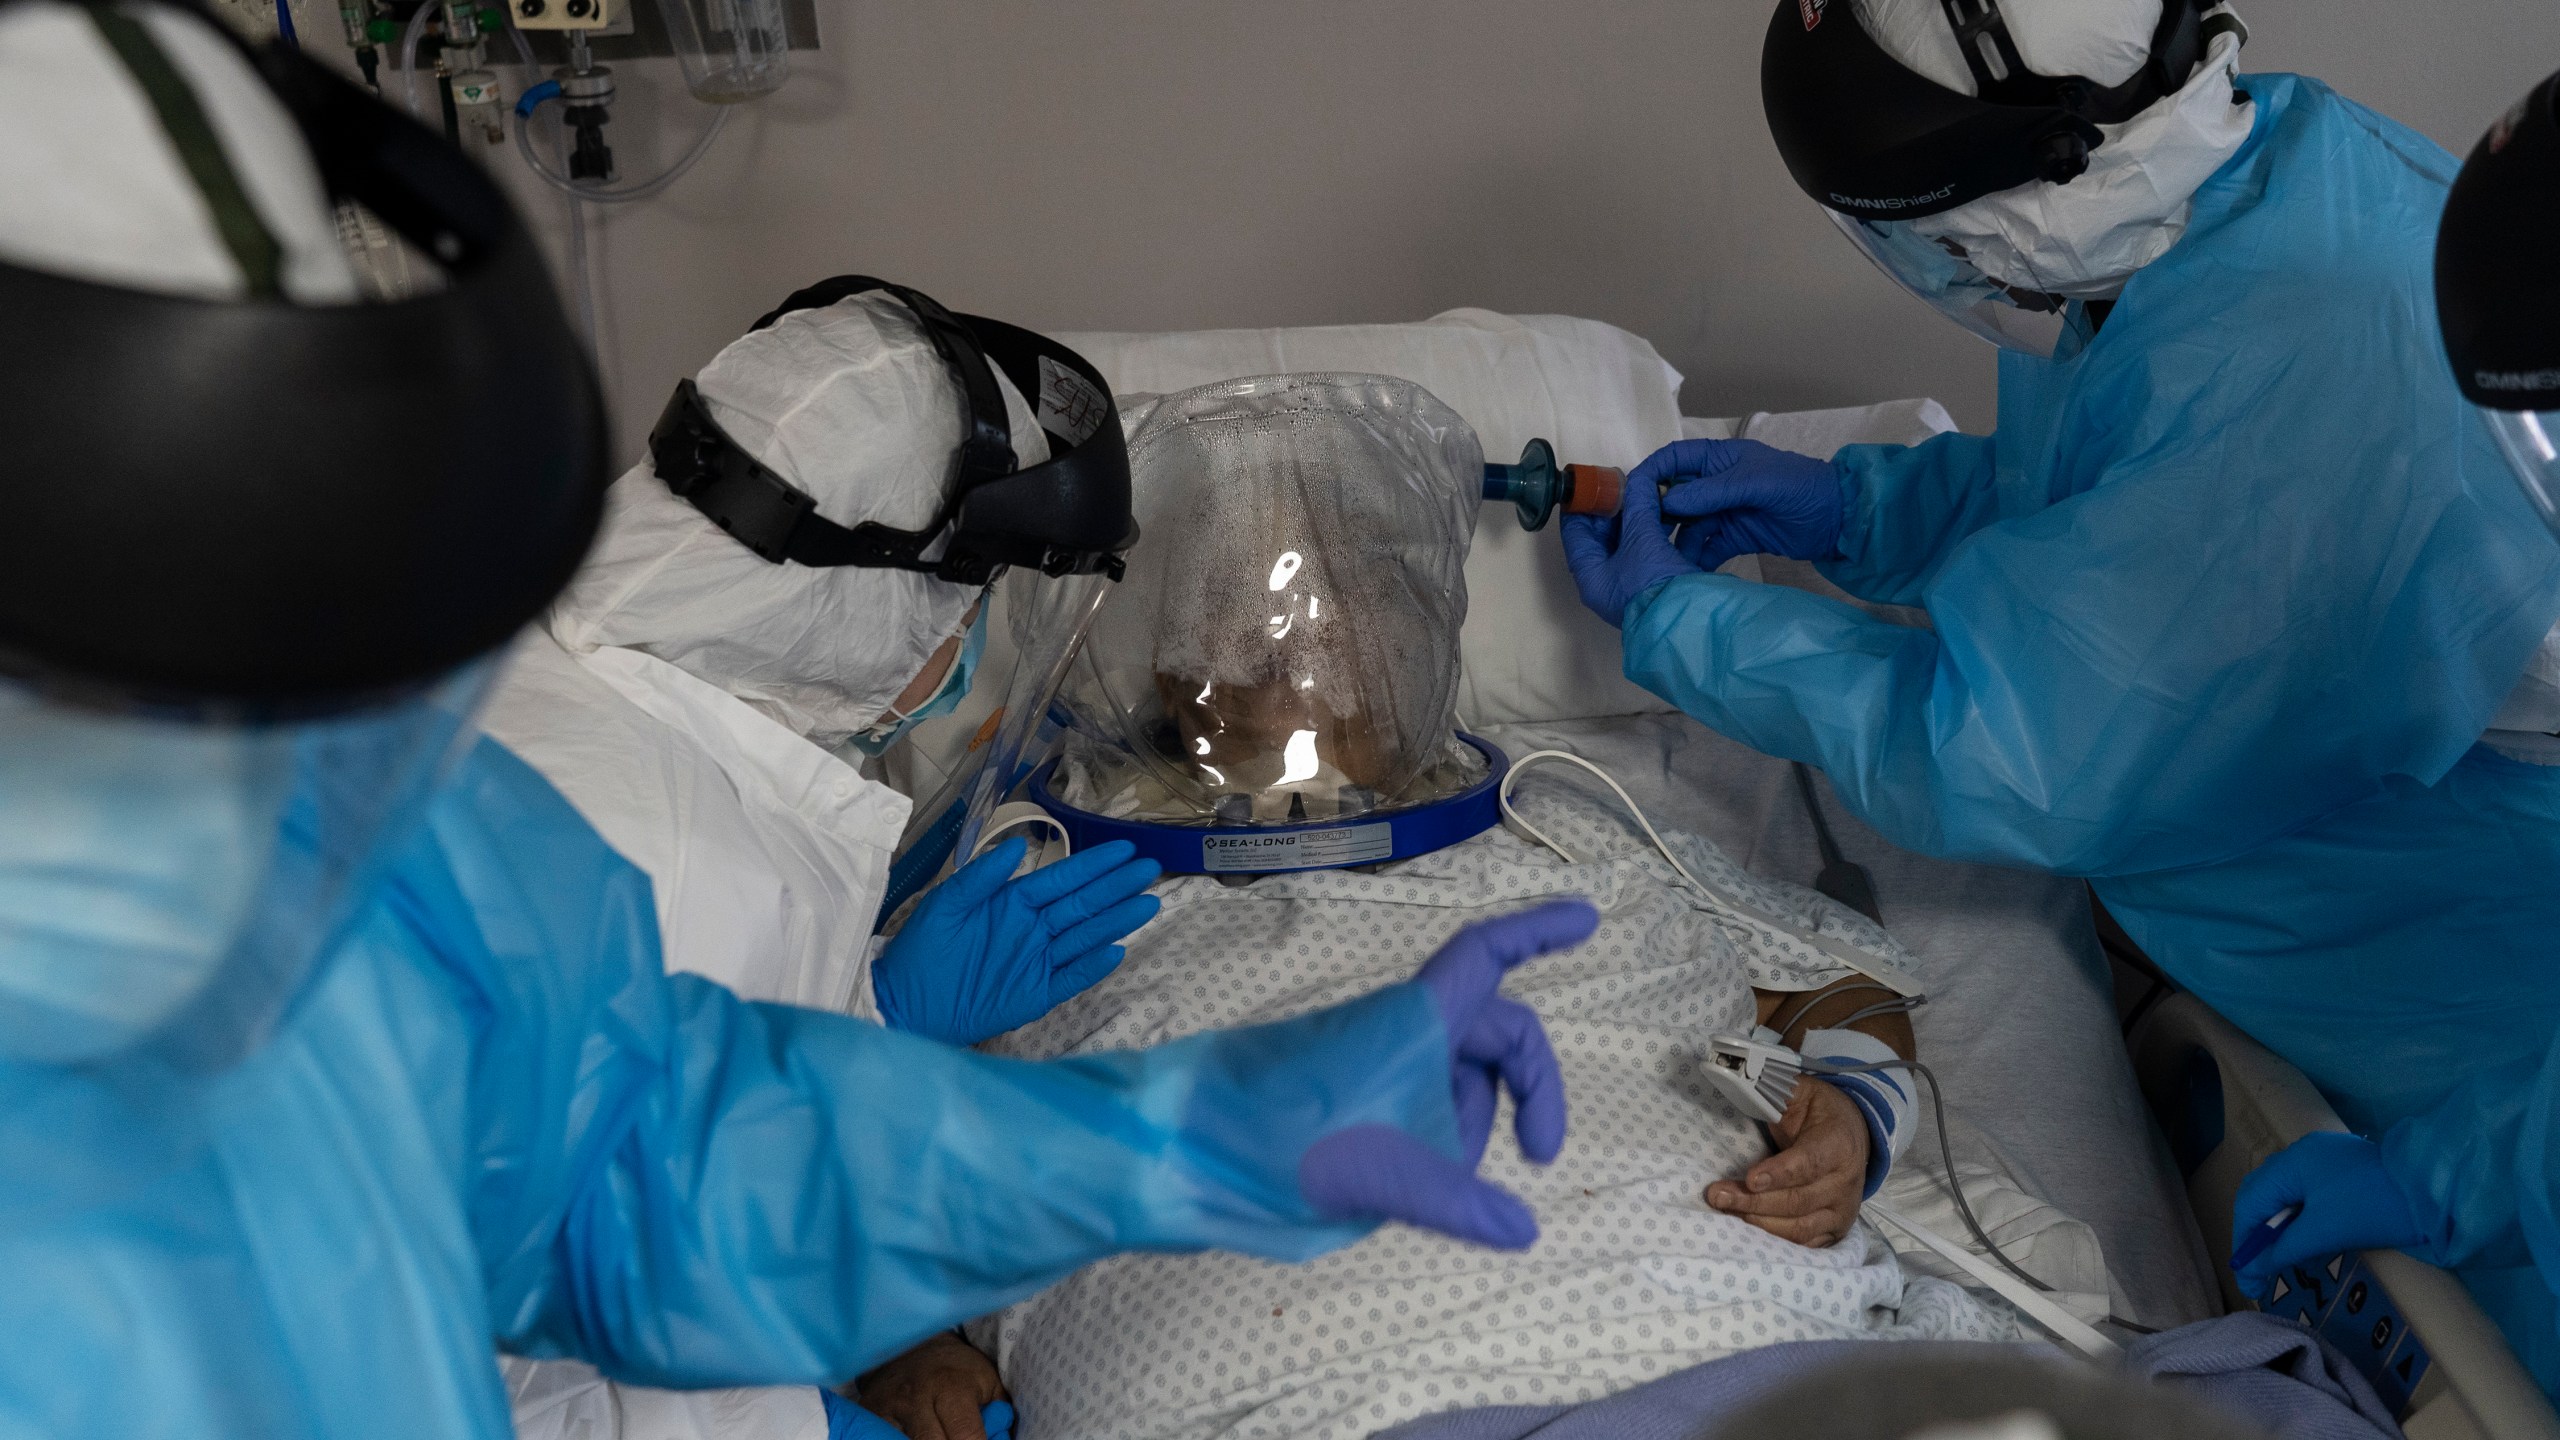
column 1742, row 498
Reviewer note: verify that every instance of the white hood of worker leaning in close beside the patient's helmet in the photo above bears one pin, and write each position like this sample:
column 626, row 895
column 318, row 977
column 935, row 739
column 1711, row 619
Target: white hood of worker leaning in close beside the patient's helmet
column 854, row 406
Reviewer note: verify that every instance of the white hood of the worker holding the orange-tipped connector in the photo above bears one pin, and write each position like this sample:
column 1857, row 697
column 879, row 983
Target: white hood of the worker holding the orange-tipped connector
column 2088, row 237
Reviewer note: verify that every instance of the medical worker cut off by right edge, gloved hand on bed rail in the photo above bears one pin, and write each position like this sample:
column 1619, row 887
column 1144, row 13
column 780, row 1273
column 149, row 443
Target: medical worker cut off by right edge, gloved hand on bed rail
column 2477, row 1180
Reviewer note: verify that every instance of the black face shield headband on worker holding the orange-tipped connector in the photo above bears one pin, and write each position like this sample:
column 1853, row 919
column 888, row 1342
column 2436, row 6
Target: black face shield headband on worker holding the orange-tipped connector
column 1875, row 140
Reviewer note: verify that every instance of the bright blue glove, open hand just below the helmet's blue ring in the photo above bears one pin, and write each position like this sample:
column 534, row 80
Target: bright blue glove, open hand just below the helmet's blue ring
column 984, row 954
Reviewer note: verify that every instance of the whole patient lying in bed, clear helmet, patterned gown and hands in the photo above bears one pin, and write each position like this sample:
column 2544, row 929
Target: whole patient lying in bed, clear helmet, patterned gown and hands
column 1286, row 647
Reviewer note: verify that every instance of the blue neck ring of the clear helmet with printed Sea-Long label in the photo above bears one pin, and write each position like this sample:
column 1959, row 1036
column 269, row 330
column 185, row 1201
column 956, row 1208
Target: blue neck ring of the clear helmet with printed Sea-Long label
column 1294, row 847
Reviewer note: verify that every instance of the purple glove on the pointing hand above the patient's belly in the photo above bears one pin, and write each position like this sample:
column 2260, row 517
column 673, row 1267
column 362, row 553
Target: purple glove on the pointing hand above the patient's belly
column 1384, row 1172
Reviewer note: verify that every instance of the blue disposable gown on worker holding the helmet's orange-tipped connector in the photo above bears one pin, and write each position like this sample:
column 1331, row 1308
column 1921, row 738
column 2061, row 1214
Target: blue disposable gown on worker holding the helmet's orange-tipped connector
column 2221, row 614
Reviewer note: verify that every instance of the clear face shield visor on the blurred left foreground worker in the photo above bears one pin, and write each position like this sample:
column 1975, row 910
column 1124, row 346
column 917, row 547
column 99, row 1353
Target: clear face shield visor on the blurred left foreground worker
column 170, row 883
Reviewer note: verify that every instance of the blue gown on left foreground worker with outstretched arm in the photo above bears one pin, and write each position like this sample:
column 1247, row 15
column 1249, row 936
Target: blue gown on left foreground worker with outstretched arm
column 495, row 1124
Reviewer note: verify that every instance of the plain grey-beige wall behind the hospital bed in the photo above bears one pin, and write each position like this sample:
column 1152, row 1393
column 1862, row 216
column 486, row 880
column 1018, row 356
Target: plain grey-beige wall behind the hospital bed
column 1225, row 163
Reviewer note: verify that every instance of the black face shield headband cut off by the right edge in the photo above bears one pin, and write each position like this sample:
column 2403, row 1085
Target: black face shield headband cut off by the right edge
column 2497, row 268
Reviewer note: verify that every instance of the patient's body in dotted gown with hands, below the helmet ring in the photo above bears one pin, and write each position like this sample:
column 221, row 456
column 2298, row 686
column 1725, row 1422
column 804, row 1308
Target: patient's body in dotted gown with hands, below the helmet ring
column 1652, row 1257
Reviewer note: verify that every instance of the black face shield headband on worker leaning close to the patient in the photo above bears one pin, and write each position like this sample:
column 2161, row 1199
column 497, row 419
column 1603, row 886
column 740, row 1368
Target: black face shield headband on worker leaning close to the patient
column 1069, row 516
